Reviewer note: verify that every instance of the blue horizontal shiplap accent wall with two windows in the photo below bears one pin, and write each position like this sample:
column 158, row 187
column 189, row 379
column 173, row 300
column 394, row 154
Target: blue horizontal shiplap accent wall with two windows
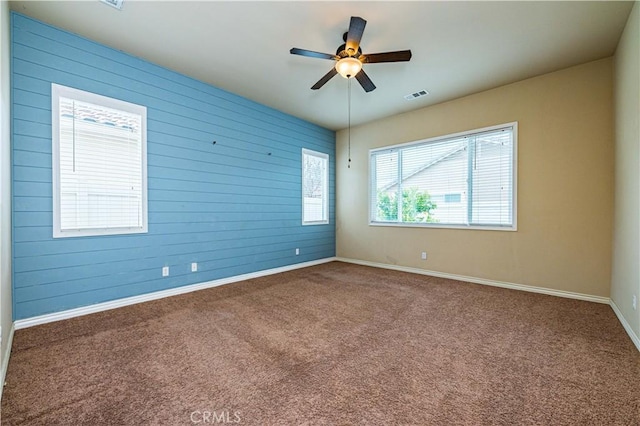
column 231, row 207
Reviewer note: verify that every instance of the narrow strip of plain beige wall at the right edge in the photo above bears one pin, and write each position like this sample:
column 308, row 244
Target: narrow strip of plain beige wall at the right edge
column 626, row 255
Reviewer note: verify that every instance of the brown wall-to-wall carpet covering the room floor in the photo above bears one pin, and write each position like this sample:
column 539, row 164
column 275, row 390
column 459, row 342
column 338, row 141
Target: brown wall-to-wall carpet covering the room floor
column 335, row 344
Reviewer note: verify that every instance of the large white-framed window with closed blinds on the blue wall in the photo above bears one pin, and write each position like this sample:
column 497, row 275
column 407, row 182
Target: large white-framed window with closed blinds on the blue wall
column 99, row 164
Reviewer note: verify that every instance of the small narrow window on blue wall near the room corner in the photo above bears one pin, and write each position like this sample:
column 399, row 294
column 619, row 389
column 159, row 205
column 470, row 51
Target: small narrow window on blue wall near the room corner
column 315, row 187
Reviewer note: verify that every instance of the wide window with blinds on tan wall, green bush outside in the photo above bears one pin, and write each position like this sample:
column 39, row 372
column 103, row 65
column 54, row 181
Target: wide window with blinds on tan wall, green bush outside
column 466, row 180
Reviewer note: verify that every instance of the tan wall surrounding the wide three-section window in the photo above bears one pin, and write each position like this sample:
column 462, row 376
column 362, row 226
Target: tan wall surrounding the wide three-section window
column 565, row 185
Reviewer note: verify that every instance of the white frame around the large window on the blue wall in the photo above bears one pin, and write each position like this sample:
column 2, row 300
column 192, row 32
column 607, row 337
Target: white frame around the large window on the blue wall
column 58, row 91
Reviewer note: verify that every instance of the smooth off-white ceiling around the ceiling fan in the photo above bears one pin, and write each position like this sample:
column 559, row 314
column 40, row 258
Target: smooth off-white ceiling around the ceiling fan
column 458, row 48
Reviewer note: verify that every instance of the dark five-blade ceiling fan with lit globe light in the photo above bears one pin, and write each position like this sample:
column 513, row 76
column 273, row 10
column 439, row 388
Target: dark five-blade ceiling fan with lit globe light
column 349, row 57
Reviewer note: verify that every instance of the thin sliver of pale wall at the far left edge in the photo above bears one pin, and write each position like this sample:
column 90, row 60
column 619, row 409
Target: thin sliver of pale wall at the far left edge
column 5, row 192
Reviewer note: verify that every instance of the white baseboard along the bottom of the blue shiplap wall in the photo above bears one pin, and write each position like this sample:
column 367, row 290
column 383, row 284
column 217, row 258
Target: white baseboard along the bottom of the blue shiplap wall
column 99, row 307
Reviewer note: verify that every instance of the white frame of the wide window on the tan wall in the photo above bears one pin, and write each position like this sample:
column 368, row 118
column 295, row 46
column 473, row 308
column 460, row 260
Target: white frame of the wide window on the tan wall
column 514, row 196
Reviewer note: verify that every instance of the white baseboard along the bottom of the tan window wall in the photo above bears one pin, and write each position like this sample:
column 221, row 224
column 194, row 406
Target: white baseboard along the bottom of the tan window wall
column 522, row 287
